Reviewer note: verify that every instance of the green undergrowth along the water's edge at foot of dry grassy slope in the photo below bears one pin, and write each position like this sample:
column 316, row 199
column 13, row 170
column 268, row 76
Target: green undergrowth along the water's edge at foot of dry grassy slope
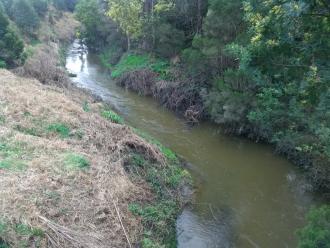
column 159, row 215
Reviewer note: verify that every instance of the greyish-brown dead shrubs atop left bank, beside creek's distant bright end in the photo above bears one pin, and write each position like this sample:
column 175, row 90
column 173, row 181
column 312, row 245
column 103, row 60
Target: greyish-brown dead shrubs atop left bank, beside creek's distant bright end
column 45, row 62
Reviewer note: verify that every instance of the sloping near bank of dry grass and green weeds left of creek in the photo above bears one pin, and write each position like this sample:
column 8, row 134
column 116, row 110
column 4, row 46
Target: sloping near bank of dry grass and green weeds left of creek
column 65, row 162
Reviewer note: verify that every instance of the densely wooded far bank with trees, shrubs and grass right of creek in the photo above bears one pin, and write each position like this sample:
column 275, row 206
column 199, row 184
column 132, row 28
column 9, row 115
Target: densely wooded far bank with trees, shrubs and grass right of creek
column 258, row 68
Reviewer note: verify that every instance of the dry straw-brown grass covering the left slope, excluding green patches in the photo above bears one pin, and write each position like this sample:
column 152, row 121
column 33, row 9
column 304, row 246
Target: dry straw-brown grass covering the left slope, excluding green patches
column 73, row 207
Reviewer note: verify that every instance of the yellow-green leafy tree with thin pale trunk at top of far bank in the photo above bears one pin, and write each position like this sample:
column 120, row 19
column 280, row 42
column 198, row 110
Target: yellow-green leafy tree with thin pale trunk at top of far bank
column 127, row 14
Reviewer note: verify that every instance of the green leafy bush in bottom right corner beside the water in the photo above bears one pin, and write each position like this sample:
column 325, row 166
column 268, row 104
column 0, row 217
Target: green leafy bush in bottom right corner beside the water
column 317, row 231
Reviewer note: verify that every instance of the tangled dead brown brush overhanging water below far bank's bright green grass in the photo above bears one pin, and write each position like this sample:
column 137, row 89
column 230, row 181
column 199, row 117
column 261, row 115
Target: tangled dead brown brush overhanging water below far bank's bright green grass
column 181, row 97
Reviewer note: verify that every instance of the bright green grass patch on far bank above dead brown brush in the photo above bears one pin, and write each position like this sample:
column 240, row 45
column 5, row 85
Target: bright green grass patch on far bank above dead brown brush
column 130, row 62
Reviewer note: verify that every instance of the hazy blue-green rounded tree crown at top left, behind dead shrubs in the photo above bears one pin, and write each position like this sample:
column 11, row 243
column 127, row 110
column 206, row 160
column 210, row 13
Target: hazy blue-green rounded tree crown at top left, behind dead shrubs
column 25, row 16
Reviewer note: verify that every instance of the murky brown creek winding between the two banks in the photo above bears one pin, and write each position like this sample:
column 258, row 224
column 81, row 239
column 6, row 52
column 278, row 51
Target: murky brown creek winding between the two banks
column 246, row 196
